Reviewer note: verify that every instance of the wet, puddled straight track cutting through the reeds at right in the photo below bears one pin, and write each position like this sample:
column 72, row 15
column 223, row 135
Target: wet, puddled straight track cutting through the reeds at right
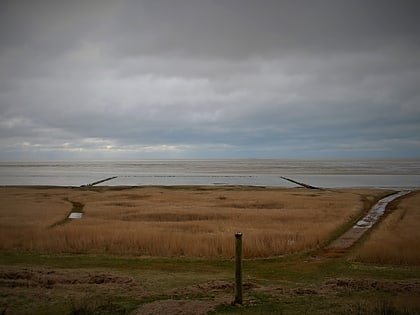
column 349, row 238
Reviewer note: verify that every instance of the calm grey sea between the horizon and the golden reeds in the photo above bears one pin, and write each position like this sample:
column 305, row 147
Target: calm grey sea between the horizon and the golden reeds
column 383, row 173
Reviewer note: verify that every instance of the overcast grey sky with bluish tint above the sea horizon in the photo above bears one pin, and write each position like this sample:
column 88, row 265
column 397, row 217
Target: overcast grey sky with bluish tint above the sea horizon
column 133, row 79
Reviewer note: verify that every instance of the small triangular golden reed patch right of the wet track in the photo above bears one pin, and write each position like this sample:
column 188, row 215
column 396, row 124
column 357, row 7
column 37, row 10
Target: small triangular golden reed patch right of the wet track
column 395, row 241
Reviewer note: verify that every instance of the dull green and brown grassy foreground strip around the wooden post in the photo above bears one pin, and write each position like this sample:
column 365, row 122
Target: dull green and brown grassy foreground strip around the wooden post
column 296, row 284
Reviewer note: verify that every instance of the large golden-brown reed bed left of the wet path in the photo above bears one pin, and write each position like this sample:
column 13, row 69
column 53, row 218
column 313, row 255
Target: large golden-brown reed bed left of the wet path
column 176, row 221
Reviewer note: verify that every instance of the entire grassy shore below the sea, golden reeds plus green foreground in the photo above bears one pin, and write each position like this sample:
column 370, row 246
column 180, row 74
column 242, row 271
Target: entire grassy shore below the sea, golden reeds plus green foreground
column 106, row 262
